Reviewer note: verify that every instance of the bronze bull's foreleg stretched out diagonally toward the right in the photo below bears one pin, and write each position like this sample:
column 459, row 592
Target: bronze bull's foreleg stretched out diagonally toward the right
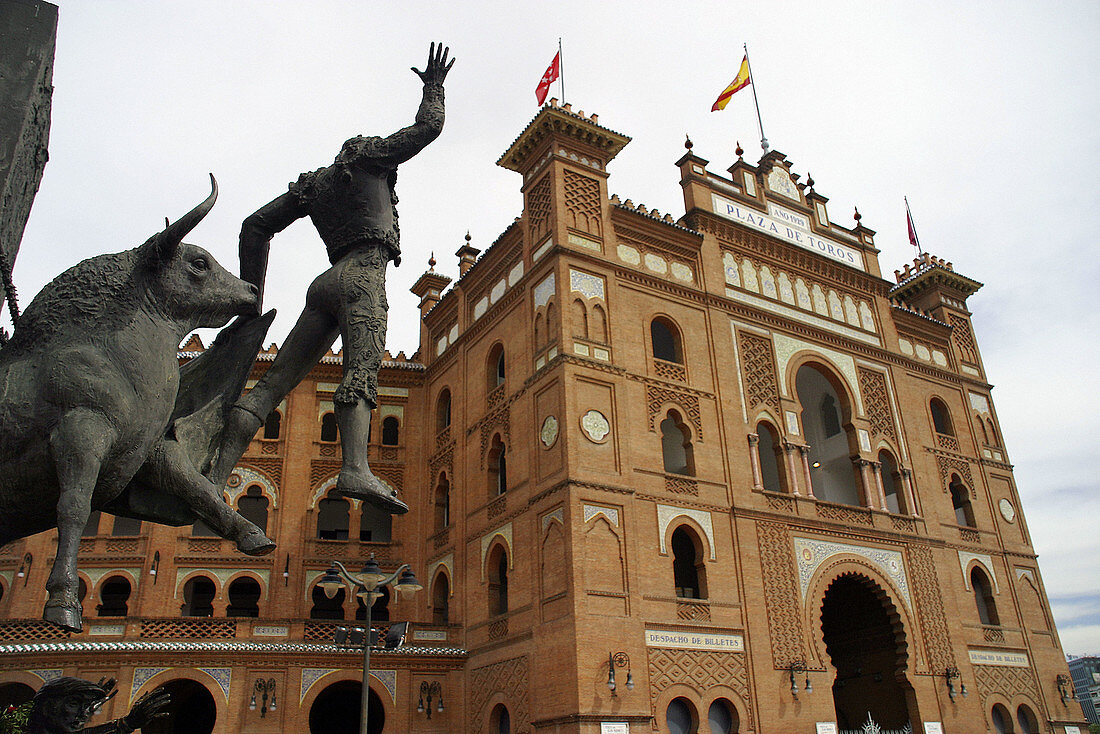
column 178, row 475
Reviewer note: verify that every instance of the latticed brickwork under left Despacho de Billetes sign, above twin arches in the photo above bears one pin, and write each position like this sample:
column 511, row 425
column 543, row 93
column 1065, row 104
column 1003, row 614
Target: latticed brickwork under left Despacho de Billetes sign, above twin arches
column 701, row 671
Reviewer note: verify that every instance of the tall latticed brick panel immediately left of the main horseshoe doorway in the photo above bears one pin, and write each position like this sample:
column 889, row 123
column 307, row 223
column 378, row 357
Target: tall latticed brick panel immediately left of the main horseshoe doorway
column 782, row 599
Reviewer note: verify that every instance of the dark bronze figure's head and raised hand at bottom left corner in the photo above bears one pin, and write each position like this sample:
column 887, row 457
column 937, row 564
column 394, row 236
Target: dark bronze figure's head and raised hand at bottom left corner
column 63, row 706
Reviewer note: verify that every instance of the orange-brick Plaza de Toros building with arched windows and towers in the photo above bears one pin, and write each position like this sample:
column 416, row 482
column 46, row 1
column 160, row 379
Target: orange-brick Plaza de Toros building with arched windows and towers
column 698, row 474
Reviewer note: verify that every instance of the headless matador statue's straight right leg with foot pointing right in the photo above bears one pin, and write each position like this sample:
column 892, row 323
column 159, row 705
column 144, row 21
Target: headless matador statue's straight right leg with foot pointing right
column 364, row 327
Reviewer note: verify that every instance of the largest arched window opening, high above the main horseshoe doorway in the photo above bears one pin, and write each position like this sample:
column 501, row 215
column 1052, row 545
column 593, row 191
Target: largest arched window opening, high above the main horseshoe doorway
column 832, row 473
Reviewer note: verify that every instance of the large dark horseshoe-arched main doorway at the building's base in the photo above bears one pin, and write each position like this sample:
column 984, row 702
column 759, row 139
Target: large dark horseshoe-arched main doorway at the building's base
column 867, row 648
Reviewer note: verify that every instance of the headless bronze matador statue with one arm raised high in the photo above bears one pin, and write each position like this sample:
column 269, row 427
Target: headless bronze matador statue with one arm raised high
column 355, row 209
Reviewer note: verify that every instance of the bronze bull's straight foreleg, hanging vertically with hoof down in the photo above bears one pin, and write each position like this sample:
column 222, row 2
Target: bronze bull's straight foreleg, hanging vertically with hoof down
column 79, row 445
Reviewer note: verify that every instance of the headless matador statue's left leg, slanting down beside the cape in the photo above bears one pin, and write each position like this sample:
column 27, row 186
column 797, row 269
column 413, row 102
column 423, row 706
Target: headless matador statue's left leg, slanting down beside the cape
column 313, row 336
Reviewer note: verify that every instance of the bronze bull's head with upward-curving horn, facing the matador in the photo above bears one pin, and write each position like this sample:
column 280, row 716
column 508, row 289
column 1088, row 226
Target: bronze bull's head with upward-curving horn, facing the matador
column 186, row 283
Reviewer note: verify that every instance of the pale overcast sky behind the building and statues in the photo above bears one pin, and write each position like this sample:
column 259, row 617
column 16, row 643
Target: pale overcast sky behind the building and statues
column 984, row 114
